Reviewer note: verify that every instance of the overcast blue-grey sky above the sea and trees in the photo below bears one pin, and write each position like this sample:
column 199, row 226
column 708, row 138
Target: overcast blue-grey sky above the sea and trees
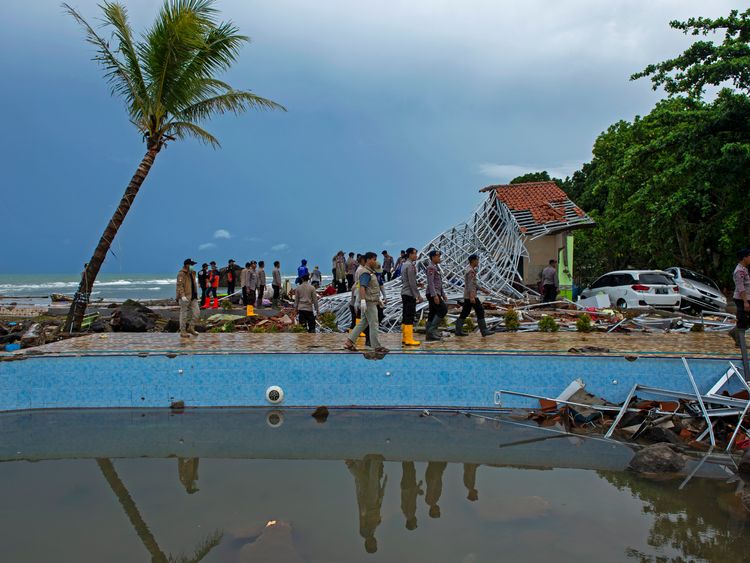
column 399, row 112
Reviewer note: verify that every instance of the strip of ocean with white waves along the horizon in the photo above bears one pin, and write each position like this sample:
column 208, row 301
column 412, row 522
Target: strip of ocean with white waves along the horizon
column 36, row 288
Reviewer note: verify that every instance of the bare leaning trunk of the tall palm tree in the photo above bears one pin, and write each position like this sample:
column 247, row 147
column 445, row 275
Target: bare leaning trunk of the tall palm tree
column 91, row 269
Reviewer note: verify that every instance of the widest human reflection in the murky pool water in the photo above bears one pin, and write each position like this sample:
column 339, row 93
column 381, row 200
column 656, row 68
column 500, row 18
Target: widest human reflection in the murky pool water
column 368, row 473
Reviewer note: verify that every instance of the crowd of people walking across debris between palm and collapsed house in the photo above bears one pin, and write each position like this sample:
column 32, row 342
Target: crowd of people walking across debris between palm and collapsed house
column 362, row 275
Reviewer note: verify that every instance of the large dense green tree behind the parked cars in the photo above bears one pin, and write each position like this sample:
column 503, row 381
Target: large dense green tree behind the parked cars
column 668, row 189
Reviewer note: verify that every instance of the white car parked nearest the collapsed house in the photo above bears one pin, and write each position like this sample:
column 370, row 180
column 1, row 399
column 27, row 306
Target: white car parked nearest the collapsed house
column 628, row 289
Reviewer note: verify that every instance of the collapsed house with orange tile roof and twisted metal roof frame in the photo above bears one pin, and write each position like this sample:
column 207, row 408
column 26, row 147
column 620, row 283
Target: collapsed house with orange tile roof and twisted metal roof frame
column 515, row 231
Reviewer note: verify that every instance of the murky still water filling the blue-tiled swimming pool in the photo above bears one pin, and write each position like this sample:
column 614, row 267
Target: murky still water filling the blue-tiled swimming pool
column 519, row 494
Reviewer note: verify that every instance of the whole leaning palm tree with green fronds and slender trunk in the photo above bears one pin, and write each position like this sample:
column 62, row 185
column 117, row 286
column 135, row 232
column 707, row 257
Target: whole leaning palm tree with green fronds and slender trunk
column 168, row 80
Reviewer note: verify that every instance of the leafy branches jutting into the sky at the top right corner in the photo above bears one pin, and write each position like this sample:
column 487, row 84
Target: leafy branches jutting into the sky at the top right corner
column 706, row 63
